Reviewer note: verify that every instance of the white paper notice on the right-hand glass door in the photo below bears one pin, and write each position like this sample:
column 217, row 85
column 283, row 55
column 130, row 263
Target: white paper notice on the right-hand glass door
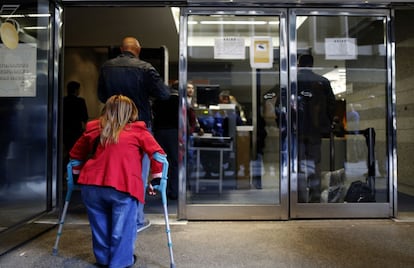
column 341, row 49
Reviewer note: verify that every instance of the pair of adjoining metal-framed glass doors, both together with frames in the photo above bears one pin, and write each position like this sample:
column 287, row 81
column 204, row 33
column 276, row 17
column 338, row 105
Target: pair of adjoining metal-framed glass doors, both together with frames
column 271, row 135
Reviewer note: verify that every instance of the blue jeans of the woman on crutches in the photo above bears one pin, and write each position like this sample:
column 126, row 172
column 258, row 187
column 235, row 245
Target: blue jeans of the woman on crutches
column 112, row 216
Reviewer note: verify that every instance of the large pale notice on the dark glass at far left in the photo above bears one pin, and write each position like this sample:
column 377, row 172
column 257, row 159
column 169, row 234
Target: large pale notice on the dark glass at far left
column 18, row 71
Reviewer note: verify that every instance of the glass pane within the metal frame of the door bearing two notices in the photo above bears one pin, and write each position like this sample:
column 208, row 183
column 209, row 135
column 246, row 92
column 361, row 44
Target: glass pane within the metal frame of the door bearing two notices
column 233, row 152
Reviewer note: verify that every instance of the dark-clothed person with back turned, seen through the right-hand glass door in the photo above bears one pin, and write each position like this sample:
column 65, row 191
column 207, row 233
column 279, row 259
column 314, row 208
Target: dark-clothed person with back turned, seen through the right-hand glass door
column 315, row 112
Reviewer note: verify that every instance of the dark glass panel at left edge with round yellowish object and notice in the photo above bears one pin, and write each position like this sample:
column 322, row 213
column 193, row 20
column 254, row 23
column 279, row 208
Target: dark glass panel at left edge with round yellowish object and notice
column 24, row 64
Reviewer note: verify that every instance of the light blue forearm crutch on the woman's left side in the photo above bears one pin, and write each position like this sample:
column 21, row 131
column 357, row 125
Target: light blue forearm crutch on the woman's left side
column 70, row 187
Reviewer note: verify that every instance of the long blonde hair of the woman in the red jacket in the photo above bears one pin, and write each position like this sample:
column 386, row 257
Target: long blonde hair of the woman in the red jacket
column 118, row 111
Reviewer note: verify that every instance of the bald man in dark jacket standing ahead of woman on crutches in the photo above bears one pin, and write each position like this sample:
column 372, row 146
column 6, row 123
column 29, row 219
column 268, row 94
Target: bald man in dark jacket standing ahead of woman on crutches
column 139, row 80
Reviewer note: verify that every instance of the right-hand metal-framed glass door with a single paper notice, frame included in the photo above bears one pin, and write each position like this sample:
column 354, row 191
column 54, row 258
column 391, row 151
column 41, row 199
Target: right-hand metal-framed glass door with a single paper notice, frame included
column 340, row 114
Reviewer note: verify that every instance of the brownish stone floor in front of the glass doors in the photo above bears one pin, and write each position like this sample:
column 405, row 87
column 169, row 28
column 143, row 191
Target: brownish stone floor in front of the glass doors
column 264, row 244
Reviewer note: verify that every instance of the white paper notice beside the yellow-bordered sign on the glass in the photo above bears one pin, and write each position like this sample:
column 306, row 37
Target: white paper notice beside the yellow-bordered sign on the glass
column 229, row 48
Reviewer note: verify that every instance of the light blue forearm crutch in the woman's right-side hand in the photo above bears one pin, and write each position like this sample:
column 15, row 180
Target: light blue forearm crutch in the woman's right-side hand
column 162, row 188
